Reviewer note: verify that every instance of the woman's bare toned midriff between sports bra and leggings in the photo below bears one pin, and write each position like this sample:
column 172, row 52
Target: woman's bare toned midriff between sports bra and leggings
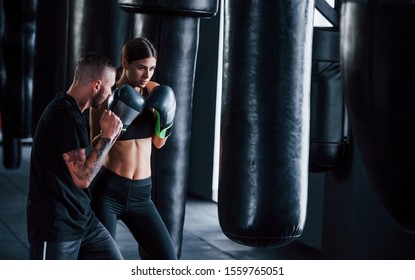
column 130, row 158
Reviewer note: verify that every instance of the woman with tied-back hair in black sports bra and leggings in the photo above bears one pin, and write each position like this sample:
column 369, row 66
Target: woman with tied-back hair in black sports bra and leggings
column 123, row 188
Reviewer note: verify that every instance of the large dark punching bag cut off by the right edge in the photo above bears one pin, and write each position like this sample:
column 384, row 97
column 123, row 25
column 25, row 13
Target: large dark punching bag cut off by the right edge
column 378, row 60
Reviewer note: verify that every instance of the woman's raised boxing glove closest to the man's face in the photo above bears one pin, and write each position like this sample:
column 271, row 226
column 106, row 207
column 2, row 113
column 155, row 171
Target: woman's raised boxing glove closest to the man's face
column 127, row 104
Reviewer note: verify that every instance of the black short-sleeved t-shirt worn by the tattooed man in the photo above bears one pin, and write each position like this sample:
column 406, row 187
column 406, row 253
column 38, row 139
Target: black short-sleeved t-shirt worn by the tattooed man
column 58, row 210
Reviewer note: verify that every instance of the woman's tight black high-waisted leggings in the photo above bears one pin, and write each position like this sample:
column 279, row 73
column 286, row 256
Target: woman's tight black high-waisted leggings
column 115, row 197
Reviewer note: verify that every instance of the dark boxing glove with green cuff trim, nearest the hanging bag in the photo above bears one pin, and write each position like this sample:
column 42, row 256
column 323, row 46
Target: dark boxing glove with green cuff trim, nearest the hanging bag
column 163, row 101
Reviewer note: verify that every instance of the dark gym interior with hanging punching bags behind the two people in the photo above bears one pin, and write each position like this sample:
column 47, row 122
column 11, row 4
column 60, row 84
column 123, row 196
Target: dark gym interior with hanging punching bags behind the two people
column 291, row 137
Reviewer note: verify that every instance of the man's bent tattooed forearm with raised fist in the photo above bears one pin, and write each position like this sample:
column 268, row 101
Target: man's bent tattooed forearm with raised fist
column 82, row 168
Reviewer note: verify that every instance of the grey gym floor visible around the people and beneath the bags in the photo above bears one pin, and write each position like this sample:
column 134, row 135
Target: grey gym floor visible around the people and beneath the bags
column 202, row 236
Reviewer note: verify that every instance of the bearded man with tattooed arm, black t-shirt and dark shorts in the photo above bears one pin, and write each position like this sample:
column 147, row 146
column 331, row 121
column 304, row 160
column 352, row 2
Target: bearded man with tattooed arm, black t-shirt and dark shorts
column 60, row 222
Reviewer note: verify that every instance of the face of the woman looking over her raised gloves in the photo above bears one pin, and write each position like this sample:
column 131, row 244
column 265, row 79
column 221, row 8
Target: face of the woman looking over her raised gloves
column 139, row 72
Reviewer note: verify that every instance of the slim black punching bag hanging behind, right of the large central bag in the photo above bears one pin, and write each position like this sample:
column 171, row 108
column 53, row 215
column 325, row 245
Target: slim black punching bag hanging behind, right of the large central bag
column 328, row 119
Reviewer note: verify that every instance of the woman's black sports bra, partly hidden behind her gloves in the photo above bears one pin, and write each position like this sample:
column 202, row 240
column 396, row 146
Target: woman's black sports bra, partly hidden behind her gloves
column 142, row 126
